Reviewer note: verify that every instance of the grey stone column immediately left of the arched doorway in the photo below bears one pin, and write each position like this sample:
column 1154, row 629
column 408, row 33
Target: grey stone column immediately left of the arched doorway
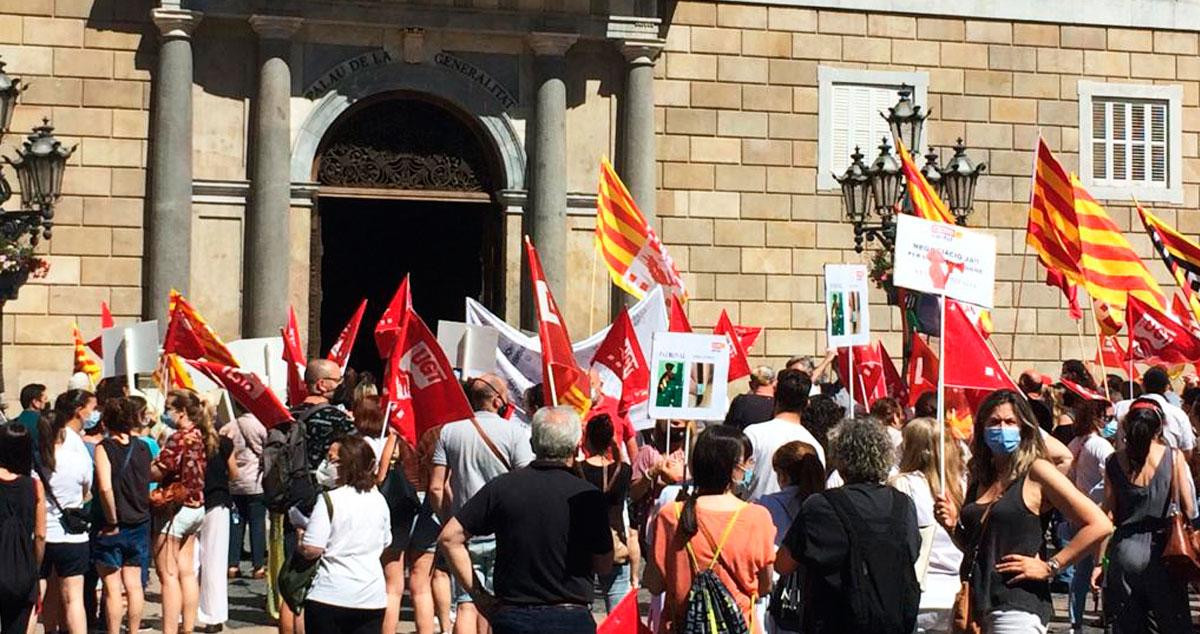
column 267, row 242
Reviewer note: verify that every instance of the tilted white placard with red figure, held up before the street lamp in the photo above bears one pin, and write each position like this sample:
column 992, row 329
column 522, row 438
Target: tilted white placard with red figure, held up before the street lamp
column 946, row 260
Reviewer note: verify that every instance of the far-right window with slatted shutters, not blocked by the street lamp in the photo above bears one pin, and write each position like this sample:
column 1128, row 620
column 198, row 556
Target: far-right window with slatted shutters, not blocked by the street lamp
column 1130, row 141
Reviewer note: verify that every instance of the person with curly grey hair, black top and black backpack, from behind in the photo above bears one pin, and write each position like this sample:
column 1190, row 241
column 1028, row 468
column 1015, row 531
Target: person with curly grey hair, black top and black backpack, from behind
column 865, row 522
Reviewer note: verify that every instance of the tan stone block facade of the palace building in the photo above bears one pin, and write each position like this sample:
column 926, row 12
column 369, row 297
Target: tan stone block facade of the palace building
column 737, row 139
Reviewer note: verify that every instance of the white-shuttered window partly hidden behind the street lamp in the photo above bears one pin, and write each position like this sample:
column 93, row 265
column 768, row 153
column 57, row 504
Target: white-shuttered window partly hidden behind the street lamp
column 850, row 103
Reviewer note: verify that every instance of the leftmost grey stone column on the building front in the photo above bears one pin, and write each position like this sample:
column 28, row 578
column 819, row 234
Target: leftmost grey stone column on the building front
column 170, row 223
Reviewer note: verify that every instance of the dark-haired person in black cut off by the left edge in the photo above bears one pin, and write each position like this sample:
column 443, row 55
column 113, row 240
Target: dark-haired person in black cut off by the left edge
column 22, row 529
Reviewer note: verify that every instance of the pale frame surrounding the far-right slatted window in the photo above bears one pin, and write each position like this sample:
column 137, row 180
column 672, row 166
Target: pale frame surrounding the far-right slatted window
column 1173, row 94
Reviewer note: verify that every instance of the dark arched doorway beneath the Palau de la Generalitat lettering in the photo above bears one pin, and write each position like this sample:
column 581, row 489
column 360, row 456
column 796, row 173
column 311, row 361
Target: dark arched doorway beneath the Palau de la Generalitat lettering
column 406, row 186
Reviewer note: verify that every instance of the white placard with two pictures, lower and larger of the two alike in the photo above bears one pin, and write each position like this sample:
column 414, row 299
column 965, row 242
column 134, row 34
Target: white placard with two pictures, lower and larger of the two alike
column 689, row 376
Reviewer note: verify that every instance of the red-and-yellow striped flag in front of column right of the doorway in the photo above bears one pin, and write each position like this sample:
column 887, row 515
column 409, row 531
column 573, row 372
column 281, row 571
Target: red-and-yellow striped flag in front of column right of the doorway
column 633, row 253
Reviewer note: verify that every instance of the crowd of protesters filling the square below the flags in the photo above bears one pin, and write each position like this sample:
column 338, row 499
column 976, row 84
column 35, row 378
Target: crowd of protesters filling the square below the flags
column 801, row 512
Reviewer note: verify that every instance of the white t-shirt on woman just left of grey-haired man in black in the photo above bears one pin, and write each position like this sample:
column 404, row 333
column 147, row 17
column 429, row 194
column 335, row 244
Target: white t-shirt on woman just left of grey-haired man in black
column 350, row 575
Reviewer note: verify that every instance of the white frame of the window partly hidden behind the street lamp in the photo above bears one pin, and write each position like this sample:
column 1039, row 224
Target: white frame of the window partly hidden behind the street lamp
column 829, row 76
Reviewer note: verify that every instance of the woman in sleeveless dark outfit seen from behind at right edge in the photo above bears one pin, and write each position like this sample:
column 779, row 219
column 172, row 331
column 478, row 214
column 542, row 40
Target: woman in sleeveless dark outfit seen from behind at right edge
column 1142, row 485
